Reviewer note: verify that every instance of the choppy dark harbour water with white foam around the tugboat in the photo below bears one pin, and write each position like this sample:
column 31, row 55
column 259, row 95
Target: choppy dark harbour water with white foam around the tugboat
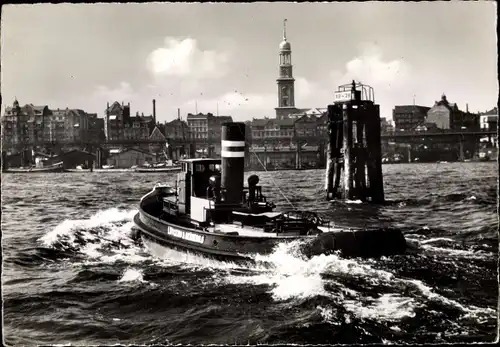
column 71, row 274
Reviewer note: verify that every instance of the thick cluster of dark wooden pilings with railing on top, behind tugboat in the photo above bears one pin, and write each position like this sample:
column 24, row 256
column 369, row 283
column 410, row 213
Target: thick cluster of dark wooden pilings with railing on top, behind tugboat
column 354, row 152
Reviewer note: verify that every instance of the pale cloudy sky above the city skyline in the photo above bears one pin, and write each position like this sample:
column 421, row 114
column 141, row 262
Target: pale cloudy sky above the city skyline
column 224, row 56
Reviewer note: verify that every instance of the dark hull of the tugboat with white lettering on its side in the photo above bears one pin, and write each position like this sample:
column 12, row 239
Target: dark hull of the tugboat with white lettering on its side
column 177, row 233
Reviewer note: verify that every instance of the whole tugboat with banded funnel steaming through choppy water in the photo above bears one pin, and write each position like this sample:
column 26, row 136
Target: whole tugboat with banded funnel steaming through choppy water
column 211, row 212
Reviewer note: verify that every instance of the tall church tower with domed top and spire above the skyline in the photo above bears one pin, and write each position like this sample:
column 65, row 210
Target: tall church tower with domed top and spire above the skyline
column 286, row 92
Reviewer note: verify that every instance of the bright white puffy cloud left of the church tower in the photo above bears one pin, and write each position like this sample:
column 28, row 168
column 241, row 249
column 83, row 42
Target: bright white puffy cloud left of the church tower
column 183, row 58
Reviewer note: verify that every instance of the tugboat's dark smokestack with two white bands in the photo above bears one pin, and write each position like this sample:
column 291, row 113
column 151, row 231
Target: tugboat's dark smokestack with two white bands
column 233, row 161
